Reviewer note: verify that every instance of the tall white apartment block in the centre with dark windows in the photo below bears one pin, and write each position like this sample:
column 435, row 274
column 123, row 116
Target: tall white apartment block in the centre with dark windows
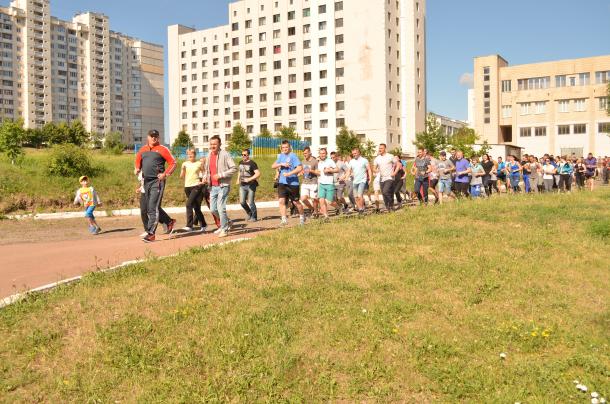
column 315, row 65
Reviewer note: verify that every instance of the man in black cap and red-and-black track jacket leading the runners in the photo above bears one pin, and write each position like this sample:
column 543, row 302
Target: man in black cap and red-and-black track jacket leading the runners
column 150, row 161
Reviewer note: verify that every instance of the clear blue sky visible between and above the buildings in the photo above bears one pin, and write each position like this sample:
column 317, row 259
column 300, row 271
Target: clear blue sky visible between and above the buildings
column 522, row 31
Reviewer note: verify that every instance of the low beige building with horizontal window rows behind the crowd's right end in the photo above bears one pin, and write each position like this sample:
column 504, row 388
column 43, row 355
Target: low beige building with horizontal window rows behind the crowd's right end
column 553, row 107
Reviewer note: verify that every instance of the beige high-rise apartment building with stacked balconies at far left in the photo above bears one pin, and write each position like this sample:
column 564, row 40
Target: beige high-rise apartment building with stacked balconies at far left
column 60, row 71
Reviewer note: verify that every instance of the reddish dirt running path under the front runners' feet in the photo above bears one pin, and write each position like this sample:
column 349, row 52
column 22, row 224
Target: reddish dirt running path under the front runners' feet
column 36, row 253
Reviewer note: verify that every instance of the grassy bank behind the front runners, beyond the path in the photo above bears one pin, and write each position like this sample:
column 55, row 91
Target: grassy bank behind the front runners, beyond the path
column 29, row 188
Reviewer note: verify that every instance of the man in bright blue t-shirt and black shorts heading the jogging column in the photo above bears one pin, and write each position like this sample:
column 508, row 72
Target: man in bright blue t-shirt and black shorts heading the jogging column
column 289, row 166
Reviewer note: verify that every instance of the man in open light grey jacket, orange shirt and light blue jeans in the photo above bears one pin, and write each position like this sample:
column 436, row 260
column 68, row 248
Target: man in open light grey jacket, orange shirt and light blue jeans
column 220, row 169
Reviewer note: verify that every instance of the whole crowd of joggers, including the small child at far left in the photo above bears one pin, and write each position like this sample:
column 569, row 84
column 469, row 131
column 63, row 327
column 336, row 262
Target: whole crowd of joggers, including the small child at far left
column 313, row 187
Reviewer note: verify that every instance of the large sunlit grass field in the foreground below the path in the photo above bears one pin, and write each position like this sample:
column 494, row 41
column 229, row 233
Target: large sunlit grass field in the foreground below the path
column 415, row 306
